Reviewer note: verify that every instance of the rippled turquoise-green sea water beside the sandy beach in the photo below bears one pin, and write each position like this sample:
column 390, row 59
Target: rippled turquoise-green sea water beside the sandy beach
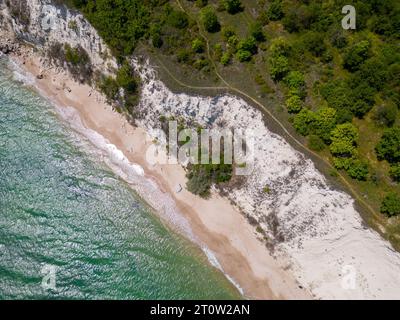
column 63, row 209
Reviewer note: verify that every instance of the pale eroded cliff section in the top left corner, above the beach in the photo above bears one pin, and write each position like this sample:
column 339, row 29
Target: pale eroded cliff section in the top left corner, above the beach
column 44, row 23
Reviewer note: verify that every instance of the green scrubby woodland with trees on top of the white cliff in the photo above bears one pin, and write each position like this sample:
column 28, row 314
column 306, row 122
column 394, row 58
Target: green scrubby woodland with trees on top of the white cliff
column 339, row 90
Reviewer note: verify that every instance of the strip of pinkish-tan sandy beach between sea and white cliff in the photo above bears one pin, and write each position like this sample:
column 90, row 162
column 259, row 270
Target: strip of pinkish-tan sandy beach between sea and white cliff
column 215, row 222
